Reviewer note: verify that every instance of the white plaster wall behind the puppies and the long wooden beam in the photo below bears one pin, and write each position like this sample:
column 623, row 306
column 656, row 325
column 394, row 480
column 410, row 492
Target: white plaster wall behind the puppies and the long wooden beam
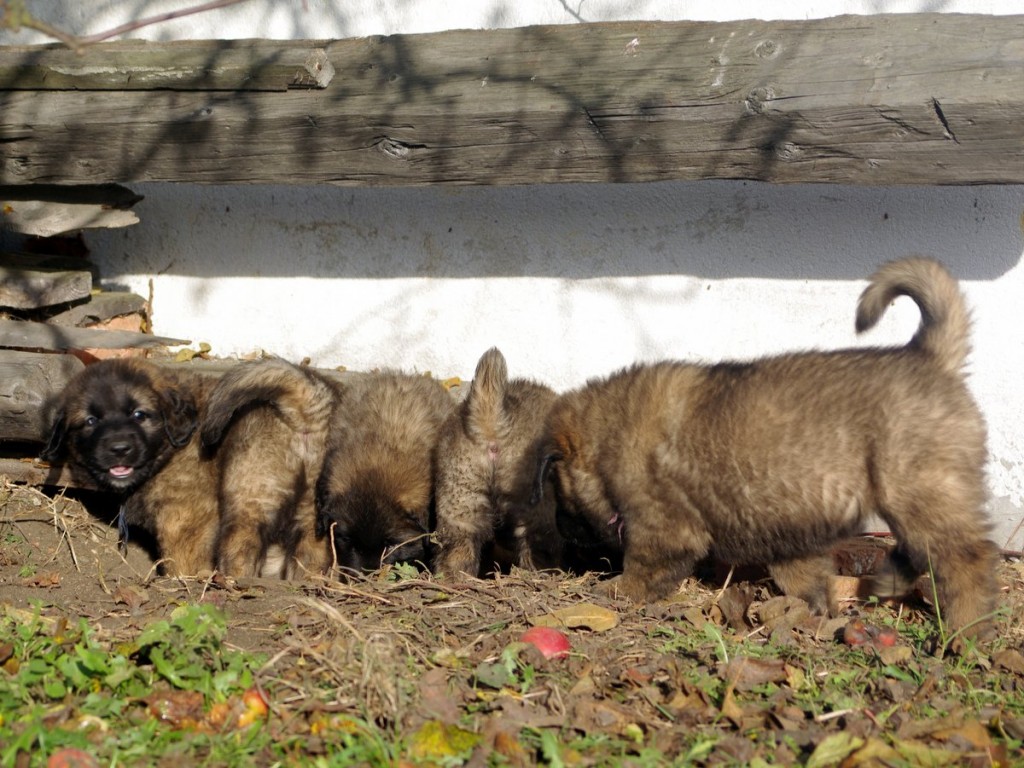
column 571, row 281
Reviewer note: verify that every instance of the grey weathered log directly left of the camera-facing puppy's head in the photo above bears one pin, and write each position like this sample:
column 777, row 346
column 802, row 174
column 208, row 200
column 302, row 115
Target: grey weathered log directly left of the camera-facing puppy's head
column 28, row 380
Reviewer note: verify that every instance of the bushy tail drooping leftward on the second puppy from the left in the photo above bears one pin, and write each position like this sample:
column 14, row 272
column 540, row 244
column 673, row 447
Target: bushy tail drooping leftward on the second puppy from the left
column 304, row 398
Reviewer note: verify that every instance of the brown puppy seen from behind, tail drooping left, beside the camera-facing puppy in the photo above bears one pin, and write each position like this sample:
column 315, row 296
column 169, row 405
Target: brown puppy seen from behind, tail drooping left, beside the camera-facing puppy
column 267, row 424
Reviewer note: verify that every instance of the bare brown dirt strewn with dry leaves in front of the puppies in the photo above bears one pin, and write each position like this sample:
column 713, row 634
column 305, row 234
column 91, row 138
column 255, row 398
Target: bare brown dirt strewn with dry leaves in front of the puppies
column 401, row 651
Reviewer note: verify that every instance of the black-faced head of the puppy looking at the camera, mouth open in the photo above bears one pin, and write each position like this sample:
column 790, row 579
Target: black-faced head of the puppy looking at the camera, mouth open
column 116, row 424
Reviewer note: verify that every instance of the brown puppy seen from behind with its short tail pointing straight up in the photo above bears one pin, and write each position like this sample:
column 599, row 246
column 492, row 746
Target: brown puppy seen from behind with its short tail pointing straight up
column 486, row 468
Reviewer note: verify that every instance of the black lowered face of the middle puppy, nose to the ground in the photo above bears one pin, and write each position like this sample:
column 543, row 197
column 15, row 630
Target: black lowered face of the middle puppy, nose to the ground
column 371, row 531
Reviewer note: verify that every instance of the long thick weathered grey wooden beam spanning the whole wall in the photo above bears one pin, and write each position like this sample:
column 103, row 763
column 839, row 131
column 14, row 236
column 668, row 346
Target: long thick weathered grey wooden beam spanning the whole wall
column 883, row 100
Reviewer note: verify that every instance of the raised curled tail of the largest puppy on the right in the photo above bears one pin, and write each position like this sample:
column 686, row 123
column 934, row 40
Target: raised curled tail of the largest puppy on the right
column 945, row 319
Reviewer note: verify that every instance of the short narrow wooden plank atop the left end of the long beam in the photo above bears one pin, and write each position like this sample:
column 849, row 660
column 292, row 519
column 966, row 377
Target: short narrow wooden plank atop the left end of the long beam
column 181, row 65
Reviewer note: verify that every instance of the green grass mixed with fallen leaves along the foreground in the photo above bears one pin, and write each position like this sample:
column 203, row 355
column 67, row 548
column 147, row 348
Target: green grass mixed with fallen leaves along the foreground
column 175, row 692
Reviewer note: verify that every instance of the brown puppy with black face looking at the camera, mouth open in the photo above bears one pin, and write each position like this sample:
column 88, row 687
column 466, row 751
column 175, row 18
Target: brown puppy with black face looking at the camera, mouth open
column 127, row 425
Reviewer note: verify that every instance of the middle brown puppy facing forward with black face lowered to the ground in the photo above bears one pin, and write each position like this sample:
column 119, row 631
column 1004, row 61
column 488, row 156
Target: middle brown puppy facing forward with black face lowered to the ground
column 375, row 495
